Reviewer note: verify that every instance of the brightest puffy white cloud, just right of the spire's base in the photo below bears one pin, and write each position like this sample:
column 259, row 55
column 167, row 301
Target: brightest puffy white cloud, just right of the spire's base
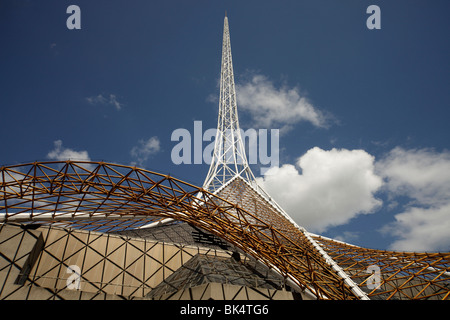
column 333, row 187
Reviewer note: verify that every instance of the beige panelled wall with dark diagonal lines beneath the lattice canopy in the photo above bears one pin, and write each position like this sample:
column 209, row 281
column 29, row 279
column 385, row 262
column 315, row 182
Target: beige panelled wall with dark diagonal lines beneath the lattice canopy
column 35, row 264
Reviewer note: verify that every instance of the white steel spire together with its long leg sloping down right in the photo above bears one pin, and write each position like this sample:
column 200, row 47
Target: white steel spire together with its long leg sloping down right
column 229, row 167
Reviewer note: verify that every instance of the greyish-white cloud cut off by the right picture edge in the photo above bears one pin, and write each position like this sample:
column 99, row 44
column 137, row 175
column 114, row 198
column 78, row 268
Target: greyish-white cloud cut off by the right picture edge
column 423, row 177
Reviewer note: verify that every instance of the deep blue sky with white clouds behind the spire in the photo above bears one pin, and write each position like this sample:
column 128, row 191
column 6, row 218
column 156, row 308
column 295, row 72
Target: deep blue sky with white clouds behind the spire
column 116, row 89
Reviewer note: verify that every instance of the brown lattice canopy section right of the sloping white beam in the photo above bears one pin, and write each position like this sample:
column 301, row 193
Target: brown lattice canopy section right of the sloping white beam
column 402, row 275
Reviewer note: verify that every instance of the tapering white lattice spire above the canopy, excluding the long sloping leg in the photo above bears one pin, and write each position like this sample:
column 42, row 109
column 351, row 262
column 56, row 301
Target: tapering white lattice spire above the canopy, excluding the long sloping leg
column 229, row 159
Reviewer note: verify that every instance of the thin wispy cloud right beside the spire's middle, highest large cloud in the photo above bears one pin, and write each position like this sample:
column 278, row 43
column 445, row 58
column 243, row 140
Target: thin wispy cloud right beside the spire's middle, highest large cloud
column 270, row 106
